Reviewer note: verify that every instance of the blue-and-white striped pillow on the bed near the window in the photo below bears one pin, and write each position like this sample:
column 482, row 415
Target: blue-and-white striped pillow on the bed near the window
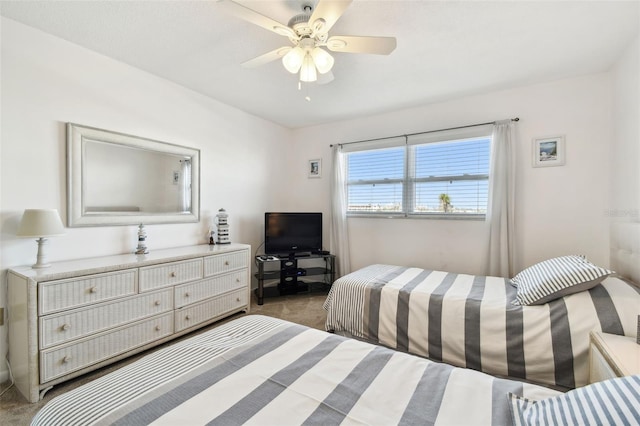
column 556, row 278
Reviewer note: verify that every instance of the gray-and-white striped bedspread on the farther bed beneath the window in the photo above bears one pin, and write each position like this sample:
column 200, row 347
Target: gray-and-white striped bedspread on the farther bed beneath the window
column 469, row 321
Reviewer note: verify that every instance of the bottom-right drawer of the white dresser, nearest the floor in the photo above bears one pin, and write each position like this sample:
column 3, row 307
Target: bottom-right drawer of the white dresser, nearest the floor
column 210, row 309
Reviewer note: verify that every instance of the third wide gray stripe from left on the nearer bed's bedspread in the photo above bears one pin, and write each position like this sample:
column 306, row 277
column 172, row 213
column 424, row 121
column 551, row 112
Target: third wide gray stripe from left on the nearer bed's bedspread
column 341, row 400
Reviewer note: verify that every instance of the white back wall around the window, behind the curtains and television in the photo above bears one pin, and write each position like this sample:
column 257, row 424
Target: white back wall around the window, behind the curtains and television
column 560, row 209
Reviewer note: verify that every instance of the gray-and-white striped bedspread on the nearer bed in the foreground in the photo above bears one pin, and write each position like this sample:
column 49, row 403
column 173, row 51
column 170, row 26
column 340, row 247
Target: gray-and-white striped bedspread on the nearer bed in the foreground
column 265, row 371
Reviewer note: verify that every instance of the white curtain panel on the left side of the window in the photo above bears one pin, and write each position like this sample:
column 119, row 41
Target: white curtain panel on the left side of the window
column 339, row 228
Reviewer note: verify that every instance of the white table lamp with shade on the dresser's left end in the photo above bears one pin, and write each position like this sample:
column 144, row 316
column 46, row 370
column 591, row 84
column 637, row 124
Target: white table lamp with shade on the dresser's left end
column 41, row 223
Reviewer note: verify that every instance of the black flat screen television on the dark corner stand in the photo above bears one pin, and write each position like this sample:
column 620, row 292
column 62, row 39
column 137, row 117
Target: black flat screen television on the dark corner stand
column 289, row 234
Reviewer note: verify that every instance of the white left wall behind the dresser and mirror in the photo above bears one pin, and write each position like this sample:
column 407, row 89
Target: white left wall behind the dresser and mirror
column 47, row 82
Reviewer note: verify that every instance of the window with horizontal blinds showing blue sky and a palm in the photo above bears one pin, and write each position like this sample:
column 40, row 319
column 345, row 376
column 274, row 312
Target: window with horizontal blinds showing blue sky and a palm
column 443, row 174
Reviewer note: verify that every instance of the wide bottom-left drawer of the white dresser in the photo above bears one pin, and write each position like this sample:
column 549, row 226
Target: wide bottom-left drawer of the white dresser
column 61, row 360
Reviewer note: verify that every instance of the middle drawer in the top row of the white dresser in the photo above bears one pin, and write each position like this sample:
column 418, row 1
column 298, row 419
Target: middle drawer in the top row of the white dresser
column 167, row 274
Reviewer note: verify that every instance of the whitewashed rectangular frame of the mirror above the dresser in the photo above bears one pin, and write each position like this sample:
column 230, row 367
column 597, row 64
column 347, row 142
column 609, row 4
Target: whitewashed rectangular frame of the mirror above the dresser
column 77, row 136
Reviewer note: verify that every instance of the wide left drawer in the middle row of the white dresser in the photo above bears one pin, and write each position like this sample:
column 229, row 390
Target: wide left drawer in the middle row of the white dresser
column 66, row 326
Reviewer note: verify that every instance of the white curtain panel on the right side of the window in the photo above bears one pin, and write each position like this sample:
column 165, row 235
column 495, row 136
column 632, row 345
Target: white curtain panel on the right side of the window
column 501, row 206
